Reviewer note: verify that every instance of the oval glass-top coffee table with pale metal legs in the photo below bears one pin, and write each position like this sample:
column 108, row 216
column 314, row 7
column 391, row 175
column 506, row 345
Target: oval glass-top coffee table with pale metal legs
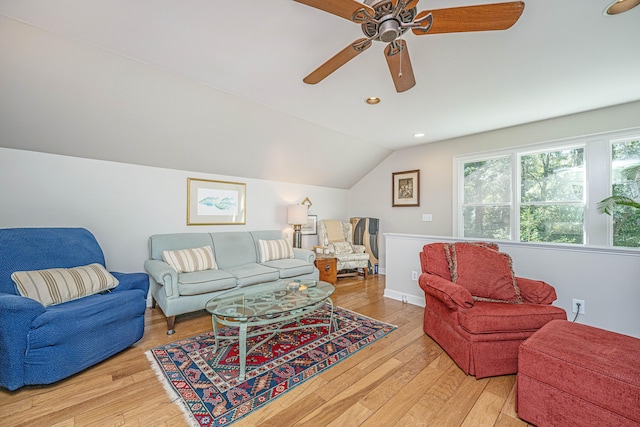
column 266, row 309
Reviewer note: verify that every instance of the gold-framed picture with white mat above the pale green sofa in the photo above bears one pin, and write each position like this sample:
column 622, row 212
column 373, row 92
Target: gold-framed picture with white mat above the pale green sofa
column 212, row 202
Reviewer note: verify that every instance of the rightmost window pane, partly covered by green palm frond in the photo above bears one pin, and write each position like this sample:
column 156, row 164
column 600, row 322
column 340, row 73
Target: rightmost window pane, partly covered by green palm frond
column 625, row 163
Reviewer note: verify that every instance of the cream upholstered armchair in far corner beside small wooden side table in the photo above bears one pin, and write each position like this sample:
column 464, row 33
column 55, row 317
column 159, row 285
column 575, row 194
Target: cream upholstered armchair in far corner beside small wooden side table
column 336, row 237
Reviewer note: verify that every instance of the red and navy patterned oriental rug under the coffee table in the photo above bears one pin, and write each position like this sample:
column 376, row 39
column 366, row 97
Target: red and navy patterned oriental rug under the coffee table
column 205, row 382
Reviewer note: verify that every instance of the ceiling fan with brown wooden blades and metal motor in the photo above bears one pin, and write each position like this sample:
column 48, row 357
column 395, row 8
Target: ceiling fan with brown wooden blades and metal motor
column 388, row 20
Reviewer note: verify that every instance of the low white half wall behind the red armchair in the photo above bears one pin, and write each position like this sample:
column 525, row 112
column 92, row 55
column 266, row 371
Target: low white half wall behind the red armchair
column 607, row 279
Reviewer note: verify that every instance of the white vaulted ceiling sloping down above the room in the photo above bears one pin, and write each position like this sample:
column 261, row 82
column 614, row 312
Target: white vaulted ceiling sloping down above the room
column 249, row 58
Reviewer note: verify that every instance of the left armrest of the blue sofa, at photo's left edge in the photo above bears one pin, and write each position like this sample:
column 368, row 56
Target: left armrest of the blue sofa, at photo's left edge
column 16, row 316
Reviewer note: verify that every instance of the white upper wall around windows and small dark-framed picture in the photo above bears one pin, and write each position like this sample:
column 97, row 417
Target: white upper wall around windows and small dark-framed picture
column 372, row 195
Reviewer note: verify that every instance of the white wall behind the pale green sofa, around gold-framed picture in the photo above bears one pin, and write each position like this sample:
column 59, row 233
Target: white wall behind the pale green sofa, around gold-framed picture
column 124, row 204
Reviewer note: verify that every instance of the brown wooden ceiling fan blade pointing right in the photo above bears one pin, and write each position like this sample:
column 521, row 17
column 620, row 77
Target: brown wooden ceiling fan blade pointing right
column 486, row 17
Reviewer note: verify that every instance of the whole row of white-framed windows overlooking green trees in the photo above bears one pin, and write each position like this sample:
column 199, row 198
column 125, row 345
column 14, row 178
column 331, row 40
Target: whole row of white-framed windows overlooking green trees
column 549, row 193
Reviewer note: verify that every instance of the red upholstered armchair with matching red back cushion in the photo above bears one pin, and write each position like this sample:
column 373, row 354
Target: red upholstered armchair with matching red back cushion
column 477, row 310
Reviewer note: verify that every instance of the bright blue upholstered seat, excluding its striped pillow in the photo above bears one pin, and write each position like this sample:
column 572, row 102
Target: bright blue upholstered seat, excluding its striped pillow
column 41, row 345
